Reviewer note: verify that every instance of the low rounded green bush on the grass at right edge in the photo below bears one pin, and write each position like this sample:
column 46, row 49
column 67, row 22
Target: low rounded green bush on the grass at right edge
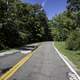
column 73, row 41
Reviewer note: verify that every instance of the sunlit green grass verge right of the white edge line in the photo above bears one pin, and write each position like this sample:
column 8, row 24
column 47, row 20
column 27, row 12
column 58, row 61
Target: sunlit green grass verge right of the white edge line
column 74, row 56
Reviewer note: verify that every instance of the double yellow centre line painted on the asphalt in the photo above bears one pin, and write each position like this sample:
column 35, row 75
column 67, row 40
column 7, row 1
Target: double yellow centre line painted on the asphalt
column 8, row 74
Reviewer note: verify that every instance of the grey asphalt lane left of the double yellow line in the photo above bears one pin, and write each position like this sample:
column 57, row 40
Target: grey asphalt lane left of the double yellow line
column 9, row 61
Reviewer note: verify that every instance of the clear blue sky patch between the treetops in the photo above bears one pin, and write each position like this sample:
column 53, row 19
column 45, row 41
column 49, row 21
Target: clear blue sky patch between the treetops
column 51, row 7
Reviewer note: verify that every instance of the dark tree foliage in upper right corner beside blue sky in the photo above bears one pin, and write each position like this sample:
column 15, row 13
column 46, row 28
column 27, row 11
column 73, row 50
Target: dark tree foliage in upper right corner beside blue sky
column 73, row 8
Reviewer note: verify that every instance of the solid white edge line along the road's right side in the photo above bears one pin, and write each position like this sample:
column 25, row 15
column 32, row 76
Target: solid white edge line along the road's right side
column 70, row 67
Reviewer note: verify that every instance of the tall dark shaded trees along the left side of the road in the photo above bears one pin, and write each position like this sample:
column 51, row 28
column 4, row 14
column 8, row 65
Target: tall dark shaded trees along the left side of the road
column 22, row 23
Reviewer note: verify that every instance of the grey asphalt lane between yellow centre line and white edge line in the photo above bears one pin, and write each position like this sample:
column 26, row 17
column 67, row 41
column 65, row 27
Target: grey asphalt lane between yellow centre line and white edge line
column 45, row 64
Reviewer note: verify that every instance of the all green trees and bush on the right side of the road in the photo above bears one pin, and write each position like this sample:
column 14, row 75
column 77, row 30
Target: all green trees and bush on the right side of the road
column 66, row 26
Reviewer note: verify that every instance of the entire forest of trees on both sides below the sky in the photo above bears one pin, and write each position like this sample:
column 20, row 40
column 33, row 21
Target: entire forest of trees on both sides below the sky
column 23, row 23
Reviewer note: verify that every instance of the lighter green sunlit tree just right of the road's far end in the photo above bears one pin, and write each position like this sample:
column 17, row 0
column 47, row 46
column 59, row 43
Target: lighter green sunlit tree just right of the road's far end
column 60, row 26
